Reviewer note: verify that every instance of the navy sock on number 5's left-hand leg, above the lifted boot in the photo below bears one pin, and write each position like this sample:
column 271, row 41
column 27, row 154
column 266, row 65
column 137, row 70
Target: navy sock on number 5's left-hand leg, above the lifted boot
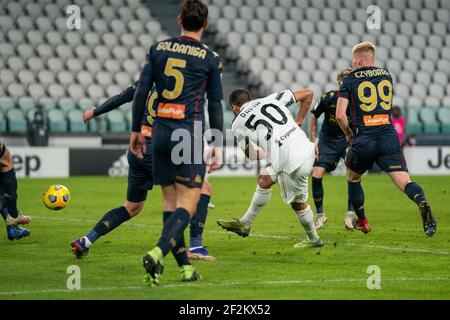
column 173, row 230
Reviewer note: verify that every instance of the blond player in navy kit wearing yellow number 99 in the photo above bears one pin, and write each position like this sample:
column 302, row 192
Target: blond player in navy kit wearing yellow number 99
column 369, row 90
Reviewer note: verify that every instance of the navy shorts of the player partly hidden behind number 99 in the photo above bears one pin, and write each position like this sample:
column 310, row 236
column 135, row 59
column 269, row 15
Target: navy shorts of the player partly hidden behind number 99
column 331, row 150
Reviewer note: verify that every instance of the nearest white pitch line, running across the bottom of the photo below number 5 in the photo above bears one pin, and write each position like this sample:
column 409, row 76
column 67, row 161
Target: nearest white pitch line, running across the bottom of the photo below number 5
column 225, row 284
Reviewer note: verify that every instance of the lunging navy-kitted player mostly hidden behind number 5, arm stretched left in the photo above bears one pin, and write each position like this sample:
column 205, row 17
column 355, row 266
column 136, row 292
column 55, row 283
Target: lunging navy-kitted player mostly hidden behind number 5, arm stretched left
column 139, row 182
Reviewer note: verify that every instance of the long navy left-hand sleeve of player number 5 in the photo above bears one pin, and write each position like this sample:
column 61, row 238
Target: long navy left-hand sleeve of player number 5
column 145, row 82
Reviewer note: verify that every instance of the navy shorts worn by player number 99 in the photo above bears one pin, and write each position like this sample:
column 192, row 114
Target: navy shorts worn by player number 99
column 384, row 150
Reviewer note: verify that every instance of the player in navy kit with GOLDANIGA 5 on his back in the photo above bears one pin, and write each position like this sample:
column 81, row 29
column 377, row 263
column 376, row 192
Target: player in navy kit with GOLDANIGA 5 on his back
column 183, row 70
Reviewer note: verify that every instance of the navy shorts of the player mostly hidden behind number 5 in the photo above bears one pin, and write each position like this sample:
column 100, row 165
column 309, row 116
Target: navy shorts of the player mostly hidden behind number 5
column 140, row 177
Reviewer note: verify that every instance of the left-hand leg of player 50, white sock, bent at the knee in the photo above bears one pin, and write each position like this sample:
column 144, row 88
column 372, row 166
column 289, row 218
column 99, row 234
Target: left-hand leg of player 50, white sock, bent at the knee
column 261, row 196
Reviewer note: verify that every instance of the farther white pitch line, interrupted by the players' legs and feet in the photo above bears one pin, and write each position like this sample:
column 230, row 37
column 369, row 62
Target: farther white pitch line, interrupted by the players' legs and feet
column 269, row 236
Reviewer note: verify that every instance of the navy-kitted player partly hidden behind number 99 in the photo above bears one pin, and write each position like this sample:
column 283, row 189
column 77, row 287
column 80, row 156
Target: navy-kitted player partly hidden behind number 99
column 330, row 149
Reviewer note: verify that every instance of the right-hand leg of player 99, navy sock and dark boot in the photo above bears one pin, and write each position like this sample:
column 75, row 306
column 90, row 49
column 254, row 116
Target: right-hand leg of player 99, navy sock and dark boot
column 415, row 192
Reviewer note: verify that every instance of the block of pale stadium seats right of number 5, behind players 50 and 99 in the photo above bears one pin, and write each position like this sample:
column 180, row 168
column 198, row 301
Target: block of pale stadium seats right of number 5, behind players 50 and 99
column 276, row 44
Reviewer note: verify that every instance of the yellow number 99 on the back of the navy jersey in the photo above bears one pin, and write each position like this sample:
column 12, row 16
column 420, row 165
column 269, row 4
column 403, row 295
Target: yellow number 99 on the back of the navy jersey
column 370, row 102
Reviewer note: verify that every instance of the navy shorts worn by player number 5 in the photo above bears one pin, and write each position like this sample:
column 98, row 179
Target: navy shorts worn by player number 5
column 189, row 173
